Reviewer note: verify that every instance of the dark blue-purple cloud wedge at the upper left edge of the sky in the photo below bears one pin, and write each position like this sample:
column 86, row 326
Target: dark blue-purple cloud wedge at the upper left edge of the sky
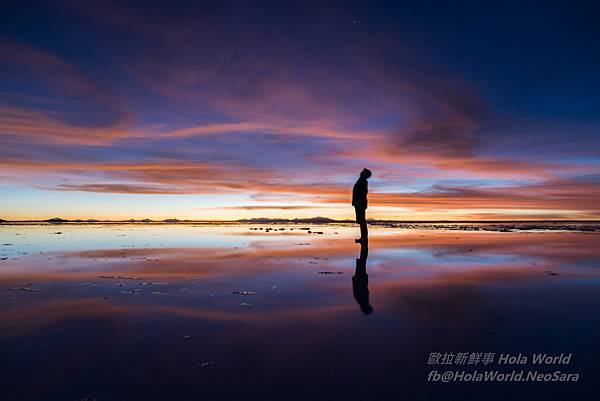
column 44, row 84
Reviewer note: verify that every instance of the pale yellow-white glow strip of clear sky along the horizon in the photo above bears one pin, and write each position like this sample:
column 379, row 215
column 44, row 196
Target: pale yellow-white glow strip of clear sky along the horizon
column 45, row 205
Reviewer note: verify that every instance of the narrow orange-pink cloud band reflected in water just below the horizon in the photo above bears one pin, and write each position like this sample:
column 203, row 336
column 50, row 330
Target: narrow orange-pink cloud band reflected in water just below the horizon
column 269, row 253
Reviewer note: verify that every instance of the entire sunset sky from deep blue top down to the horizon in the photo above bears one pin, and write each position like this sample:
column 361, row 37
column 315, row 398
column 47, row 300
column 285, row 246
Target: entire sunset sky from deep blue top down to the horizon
column 226, row 110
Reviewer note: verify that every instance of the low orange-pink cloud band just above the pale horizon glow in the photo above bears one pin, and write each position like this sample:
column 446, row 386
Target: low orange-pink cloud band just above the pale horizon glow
column 563, row 196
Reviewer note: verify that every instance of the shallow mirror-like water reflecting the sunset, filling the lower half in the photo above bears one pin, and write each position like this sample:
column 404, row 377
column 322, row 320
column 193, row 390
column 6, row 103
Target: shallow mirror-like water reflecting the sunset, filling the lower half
column 187, row 312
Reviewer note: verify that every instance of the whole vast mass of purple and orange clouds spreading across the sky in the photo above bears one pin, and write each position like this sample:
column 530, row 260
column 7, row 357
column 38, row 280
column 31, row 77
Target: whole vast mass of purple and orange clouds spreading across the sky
column 190, row 100
